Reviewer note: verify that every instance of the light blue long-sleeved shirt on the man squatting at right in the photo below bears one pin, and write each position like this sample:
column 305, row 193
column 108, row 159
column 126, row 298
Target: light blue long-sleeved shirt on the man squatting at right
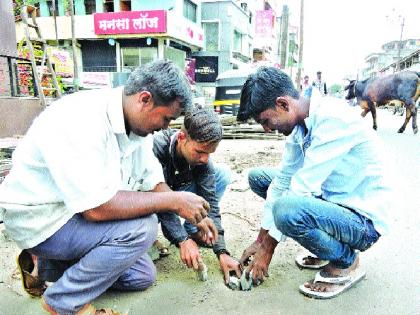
column 339, row 159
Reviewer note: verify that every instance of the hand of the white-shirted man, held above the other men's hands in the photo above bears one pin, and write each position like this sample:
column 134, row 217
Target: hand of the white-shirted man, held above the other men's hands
column 192, row 207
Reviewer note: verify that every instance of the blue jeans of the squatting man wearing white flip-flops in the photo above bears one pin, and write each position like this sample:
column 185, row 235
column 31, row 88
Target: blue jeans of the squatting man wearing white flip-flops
column 330, row 231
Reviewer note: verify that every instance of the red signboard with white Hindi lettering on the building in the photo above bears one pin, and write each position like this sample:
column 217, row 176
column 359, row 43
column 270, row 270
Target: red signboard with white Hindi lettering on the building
column 130, row 22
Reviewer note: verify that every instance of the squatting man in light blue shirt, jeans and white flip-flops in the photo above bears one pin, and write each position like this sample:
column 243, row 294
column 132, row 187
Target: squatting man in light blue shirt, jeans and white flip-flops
column 330, row 193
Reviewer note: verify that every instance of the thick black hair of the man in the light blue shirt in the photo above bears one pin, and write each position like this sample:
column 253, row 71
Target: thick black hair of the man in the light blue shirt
column 261, row 90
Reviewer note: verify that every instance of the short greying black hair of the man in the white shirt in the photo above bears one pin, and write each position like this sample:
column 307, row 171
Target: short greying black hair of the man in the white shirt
column 164, row 80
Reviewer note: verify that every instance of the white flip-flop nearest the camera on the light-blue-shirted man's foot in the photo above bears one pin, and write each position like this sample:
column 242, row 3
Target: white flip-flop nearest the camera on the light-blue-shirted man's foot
column 354, row 277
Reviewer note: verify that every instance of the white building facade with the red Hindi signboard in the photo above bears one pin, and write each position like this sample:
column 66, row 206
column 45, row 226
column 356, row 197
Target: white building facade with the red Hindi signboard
column 116, row 36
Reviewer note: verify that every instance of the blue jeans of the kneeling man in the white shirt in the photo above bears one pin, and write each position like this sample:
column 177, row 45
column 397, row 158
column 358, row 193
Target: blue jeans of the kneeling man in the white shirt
column 95, row 256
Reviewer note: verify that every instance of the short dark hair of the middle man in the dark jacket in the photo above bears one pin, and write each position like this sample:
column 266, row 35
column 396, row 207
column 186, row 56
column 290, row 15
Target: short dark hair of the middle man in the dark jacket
column 203, row 125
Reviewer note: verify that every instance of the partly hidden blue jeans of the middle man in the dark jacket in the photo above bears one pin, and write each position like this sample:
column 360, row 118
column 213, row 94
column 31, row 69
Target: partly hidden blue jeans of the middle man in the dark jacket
column 223, row 178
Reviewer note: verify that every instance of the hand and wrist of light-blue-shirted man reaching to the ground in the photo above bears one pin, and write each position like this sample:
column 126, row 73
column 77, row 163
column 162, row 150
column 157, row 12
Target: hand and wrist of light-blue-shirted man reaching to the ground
column 262, row 258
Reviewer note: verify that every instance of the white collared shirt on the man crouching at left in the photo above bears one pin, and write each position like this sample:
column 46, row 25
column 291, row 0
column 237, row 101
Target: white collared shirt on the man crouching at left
column 75, row 156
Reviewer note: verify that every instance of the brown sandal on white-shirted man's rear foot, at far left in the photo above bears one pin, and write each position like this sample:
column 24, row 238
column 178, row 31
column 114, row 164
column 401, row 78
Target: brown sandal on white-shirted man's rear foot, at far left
column 33, row 285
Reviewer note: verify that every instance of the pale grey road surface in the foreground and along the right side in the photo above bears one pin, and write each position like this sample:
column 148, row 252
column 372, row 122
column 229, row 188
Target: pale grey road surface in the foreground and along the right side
column 392, row 265
